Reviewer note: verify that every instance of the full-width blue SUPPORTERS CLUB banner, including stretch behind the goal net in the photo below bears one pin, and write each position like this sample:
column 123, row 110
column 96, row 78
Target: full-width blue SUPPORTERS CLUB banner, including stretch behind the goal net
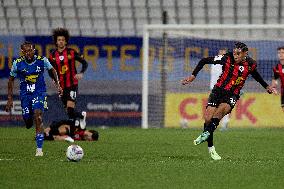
column 120, row 58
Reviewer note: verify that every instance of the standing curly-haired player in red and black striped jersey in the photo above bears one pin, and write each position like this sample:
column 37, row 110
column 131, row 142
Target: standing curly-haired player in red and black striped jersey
column 63, row 60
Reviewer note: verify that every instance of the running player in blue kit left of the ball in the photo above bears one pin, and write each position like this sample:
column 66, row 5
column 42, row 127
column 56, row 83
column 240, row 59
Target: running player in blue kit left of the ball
column 29, row 68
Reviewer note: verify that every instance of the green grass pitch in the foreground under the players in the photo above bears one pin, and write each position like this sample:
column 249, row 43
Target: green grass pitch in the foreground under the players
column 153, row 158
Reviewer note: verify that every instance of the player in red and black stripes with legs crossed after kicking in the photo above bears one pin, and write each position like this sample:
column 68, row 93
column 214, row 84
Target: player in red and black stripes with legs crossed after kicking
column 236, row 67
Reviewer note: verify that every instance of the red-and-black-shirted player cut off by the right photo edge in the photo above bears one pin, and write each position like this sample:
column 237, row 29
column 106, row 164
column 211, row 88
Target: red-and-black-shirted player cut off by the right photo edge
column 278, row 73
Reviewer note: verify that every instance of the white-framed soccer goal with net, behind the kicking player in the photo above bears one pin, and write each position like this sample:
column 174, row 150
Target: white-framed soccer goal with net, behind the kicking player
column 171, row 52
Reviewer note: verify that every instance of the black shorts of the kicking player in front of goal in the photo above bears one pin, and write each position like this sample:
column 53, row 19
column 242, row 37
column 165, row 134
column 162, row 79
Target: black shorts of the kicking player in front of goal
column 218, row 96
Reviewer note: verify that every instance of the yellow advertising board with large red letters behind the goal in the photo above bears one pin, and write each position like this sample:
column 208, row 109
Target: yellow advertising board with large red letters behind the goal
column 252, row 110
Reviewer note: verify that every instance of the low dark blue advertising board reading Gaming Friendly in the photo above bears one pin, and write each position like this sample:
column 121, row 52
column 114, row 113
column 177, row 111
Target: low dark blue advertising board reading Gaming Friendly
column 102, row 110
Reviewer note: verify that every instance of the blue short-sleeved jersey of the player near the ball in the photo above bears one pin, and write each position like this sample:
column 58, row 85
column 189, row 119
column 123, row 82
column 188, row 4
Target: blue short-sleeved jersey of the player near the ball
column 31, row 75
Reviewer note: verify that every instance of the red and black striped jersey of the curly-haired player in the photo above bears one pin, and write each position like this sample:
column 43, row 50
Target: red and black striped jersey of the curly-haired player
column 64, row 64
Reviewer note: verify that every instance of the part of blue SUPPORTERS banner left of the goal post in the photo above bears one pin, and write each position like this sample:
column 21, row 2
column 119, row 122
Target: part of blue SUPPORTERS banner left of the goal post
column 108, row 58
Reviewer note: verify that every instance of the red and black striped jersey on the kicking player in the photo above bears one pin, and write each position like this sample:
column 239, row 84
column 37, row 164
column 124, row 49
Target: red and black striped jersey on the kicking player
column 233, row 75
